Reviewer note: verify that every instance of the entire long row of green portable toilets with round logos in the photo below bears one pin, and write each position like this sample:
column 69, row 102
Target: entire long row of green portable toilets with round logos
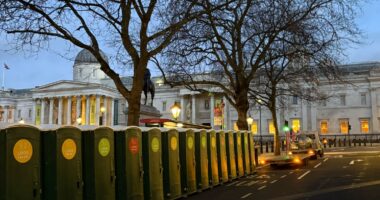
column 164, row 159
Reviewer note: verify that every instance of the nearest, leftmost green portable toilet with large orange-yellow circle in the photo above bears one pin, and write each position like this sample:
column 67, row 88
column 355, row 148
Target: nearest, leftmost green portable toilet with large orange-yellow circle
column 20, row 163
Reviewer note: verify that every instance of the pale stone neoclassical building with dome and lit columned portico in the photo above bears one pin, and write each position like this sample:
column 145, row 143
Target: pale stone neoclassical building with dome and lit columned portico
column 92, row 99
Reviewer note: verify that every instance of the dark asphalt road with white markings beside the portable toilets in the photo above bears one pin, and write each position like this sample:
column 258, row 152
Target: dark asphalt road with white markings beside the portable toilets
column 344, row 173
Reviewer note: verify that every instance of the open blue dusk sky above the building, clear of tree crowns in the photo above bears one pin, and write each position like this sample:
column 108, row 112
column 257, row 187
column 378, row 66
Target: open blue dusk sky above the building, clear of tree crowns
column 28, row 71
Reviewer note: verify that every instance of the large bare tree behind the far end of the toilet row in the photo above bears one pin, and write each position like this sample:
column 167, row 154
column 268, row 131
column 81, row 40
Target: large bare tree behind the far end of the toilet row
column 226, row 48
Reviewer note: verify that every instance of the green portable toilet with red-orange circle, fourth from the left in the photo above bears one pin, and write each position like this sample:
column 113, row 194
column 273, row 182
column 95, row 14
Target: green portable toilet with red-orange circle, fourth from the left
column 129, row 165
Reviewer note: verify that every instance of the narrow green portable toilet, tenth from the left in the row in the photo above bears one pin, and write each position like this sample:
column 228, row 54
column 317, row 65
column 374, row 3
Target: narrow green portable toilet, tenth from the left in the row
column 222, row 156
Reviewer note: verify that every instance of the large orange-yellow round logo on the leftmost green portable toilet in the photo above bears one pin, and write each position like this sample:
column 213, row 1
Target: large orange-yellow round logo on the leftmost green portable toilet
column 23, row 151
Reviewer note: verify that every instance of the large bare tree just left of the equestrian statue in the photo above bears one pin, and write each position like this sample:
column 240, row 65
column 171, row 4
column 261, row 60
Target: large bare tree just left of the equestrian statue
column 136, row 30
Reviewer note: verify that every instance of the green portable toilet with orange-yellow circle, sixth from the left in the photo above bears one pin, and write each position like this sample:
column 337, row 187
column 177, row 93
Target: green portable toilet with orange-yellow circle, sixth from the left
column 171, row 163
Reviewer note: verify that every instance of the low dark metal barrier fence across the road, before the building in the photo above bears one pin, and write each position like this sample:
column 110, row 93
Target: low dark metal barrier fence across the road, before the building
column 266, row 142
